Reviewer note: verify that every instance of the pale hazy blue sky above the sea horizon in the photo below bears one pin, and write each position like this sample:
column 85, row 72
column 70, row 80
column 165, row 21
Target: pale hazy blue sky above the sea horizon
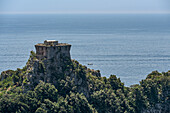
column 84, row 6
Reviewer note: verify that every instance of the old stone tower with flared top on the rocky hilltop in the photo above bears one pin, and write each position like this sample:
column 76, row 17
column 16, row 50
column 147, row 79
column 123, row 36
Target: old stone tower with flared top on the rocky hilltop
column 50, row 48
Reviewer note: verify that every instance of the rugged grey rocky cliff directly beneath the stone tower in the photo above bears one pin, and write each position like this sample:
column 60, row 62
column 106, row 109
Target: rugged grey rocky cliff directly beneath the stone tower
column 59, row 70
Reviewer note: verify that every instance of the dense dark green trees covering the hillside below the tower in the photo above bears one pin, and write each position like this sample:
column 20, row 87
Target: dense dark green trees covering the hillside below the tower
column 104, row 94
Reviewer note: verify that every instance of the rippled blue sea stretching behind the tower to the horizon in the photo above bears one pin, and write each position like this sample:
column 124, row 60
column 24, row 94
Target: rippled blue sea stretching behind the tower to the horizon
column 129, row 46
